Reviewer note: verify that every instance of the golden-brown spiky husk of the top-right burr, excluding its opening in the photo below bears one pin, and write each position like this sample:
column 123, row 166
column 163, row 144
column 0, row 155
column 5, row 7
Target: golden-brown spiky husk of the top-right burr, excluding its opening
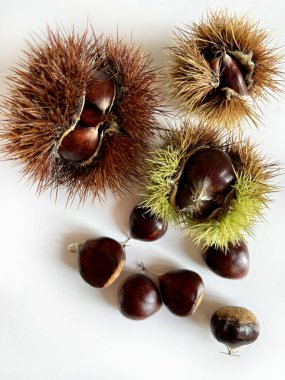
column 192, row 82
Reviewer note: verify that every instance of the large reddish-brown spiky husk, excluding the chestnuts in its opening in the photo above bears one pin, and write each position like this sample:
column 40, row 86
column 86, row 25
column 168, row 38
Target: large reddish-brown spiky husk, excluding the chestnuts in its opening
column 44, row 93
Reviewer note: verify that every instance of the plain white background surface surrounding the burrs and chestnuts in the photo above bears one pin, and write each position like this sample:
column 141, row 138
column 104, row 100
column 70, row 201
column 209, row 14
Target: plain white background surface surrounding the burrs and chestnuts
column 55, row 326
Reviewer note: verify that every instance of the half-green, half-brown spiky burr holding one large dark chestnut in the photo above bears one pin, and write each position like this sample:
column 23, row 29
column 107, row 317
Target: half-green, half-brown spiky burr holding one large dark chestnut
column 217, row 205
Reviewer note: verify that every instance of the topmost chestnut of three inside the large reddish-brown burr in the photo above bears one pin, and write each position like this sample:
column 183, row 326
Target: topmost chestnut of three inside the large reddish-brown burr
column 101, row 91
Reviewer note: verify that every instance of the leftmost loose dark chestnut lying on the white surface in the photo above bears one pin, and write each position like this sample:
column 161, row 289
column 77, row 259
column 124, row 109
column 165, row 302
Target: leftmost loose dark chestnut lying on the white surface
column 101, row 261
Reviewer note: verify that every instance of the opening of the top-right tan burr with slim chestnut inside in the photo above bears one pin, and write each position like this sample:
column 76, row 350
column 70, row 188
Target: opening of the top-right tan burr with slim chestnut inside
column 232, row 73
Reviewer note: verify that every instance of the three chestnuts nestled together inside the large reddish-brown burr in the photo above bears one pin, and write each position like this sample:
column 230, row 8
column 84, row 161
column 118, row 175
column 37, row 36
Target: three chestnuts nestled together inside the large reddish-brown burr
column 81, row 143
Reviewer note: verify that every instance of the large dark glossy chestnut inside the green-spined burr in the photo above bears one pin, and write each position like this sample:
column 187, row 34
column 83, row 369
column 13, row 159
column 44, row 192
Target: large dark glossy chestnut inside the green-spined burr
column 205, row 184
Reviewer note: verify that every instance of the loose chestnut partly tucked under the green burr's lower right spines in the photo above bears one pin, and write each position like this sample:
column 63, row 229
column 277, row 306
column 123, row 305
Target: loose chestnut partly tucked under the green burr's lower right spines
column 232, row 263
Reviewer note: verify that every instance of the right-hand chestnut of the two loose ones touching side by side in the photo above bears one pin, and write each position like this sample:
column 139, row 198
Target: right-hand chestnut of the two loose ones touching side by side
column 181, row 291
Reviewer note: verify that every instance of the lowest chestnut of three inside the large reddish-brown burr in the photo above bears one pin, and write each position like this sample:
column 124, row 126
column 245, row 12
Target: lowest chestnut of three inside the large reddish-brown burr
column 80, row 144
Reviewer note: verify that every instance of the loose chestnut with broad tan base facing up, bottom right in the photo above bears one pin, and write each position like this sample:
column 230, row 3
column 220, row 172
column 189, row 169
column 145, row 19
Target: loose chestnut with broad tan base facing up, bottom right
column 234, row 326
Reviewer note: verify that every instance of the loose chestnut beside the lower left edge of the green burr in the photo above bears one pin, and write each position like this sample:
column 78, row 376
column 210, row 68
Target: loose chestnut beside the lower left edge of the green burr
column 145, row 226
